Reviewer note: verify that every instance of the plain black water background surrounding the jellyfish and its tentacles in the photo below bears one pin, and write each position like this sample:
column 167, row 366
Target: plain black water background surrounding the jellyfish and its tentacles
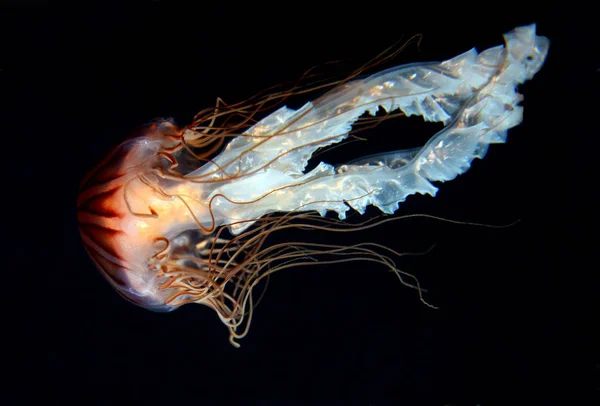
column 516, row 304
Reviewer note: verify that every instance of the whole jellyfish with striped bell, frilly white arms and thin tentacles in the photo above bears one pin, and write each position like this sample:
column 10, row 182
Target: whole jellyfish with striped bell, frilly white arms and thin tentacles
column 183, row 215
